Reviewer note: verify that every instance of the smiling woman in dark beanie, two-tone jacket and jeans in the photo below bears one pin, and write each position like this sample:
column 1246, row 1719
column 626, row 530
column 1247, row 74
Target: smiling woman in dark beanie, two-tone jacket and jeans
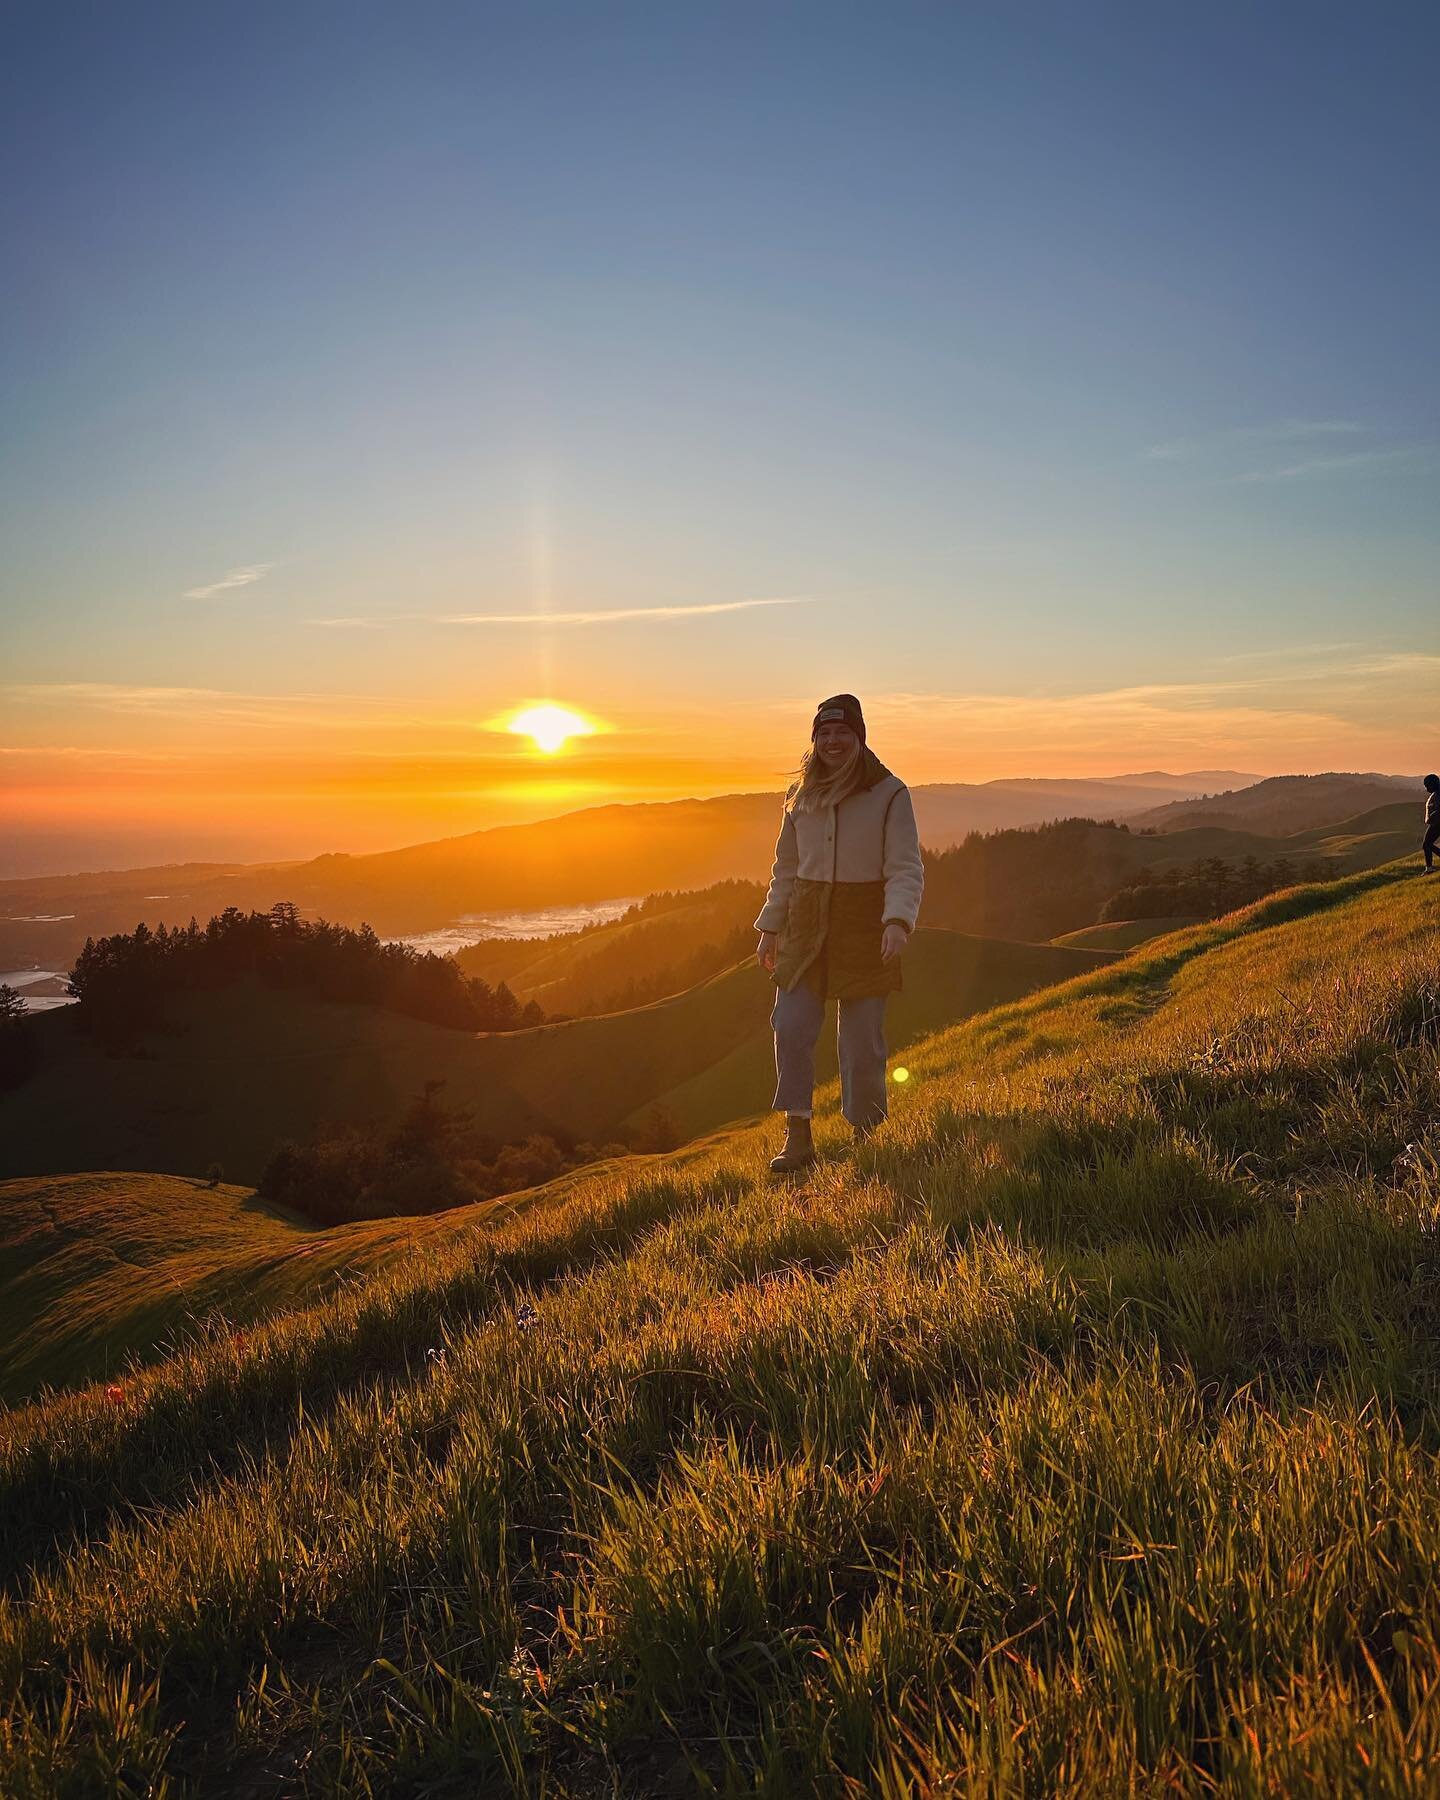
column 845, row 894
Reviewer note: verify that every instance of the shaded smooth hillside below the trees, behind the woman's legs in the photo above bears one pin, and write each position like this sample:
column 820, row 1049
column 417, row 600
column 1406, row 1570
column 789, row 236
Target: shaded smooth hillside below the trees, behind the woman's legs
column 247, row 1066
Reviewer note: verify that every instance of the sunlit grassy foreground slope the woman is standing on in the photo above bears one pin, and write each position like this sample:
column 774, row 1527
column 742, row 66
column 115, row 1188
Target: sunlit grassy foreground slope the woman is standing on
column 1074, row 1437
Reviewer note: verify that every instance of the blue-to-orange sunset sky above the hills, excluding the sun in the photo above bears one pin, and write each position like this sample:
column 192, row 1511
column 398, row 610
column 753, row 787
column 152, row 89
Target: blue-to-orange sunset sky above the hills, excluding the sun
column 1061, row 377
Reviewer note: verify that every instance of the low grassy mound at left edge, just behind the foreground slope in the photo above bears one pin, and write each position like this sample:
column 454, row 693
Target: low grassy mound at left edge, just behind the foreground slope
column 107, row 1266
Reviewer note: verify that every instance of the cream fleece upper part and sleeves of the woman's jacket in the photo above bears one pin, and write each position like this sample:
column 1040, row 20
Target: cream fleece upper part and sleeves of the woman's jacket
column 868, row 838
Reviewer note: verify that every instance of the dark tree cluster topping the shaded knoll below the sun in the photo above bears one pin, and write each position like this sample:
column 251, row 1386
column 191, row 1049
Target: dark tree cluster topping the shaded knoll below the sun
column 125, row 980
